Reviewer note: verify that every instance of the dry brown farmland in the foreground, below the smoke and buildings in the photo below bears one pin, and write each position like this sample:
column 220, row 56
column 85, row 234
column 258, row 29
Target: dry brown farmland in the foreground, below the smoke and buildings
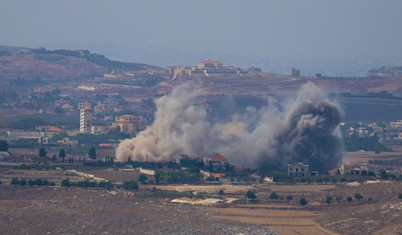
column 193, row 209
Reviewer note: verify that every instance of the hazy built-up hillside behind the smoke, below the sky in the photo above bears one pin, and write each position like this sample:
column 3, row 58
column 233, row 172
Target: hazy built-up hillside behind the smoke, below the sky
column 40, row 81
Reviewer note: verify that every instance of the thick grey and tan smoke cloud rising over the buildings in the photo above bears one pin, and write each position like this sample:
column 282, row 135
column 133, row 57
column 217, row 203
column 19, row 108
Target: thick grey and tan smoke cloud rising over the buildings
column 304, row 129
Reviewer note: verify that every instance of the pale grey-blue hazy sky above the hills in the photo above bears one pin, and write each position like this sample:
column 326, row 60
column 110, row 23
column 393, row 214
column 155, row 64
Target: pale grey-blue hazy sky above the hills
column 244, row 28
